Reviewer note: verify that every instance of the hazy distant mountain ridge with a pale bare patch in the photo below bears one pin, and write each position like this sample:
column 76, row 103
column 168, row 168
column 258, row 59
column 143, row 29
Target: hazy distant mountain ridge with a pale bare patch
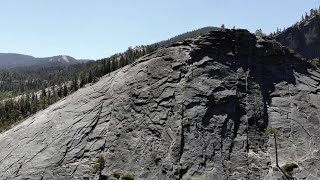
column 12, row 60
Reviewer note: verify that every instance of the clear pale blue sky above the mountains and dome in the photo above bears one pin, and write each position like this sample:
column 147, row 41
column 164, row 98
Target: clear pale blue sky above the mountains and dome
column 99, row 28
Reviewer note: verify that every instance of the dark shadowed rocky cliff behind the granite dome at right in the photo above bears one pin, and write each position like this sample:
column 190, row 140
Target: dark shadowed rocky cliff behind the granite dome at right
column 303, row 37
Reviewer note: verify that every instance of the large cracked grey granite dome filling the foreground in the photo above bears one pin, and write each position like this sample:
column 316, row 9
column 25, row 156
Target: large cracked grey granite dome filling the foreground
column 193, row 110
